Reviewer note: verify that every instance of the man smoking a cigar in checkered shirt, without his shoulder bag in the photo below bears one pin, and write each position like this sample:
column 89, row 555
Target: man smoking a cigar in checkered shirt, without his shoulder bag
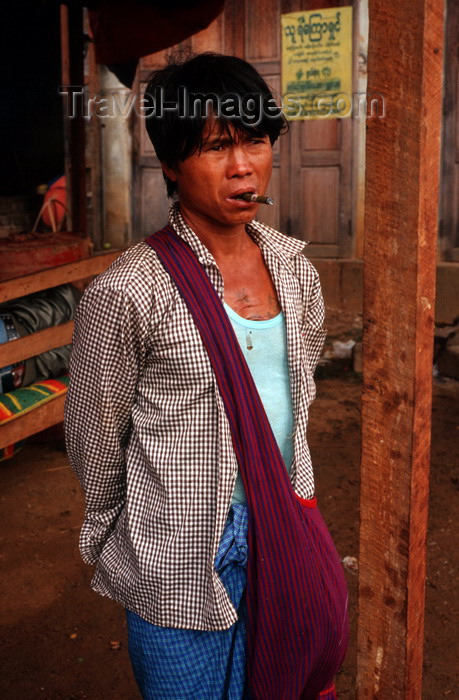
column 166, row 512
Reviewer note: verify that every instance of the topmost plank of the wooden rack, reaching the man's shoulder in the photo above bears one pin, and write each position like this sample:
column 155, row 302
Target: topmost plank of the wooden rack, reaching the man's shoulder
column 63, row 274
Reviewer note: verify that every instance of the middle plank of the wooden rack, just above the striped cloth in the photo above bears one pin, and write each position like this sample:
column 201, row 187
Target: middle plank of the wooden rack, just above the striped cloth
column 35, row 343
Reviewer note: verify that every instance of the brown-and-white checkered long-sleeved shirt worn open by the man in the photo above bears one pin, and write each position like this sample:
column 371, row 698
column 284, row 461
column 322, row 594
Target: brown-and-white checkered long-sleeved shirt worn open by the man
column 147, row 432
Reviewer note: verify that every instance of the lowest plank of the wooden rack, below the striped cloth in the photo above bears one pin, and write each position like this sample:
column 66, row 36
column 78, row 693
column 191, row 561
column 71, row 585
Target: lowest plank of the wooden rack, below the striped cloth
column 35, row 421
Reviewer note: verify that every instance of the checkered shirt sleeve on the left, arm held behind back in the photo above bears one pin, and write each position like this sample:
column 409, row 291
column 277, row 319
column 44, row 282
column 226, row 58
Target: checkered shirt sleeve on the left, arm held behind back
column 106, row 361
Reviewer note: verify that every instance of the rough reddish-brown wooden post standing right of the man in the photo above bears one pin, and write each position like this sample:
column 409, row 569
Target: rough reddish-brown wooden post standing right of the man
column 402, row 174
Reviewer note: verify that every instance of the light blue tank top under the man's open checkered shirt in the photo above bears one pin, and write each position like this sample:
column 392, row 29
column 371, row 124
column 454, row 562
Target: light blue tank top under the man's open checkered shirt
column 264, row 345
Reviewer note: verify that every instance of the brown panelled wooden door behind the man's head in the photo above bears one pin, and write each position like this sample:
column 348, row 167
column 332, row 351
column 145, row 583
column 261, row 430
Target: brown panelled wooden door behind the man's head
column 311, row 180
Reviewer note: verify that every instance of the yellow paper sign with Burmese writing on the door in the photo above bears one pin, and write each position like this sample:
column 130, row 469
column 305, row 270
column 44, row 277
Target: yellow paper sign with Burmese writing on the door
column 317, row 63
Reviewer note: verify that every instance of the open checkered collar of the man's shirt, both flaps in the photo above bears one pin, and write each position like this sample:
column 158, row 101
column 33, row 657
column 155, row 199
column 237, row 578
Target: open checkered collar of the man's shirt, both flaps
column 283, row 247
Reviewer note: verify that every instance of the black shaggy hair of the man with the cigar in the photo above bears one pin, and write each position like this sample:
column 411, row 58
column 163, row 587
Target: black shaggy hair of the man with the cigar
column 183, row 94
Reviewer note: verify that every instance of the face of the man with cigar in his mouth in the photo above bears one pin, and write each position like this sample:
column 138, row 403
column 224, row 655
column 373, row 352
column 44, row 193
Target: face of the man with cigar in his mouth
column 209, row 179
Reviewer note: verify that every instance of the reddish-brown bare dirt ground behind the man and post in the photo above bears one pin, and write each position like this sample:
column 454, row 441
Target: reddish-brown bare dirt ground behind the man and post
column 61, row 641
